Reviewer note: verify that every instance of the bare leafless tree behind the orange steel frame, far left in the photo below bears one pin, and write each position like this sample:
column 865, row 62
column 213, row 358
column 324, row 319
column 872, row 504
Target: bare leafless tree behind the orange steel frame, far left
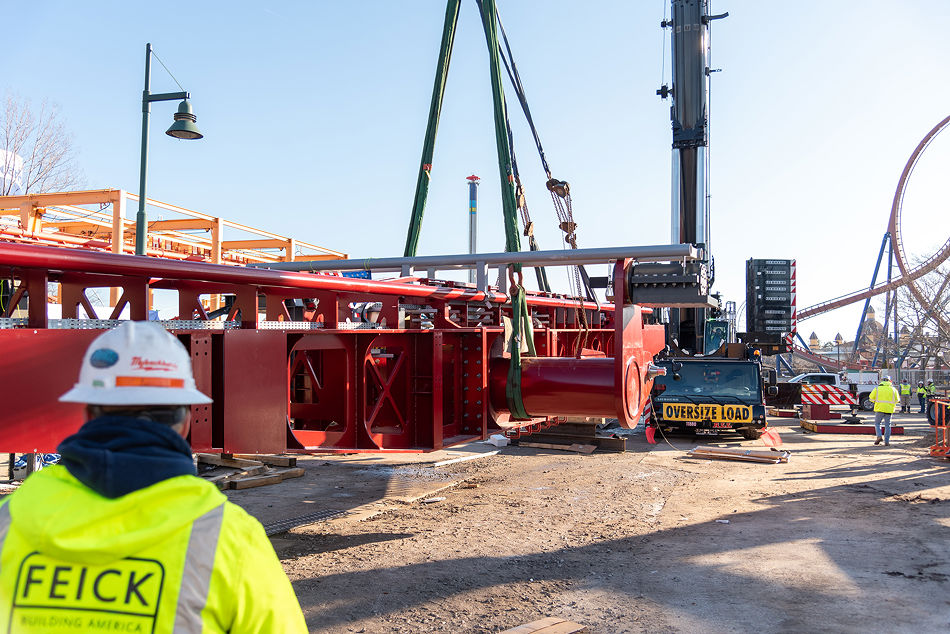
column 36, row 150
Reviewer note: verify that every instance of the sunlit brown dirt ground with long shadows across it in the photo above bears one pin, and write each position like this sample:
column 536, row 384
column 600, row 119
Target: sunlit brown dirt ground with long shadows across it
column 845, row 537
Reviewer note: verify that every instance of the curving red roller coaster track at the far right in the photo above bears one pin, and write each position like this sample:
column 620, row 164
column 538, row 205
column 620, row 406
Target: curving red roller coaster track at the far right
column 908, row 274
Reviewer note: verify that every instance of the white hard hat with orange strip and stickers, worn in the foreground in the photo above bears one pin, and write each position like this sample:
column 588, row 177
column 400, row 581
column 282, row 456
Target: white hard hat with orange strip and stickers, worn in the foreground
column 137, row 363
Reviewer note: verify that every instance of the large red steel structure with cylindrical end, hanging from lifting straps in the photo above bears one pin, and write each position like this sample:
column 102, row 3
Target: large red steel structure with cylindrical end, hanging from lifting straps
column 404, row 365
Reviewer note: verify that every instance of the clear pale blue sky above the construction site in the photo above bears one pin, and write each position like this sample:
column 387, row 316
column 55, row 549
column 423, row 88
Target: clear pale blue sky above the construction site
column 314, row 114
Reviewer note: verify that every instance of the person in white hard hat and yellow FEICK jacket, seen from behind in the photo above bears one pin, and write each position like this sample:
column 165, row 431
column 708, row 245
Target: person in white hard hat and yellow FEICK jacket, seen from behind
column 121, row 536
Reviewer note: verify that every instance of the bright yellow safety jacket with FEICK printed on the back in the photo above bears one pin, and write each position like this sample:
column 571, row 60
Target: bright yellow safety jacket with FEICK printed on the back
column 172, row 557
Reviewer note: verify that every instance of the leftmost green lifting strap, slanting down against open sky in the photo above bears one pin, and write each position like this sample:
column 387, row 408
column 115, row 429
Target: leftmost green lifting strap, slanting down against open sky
column 435, row 108
